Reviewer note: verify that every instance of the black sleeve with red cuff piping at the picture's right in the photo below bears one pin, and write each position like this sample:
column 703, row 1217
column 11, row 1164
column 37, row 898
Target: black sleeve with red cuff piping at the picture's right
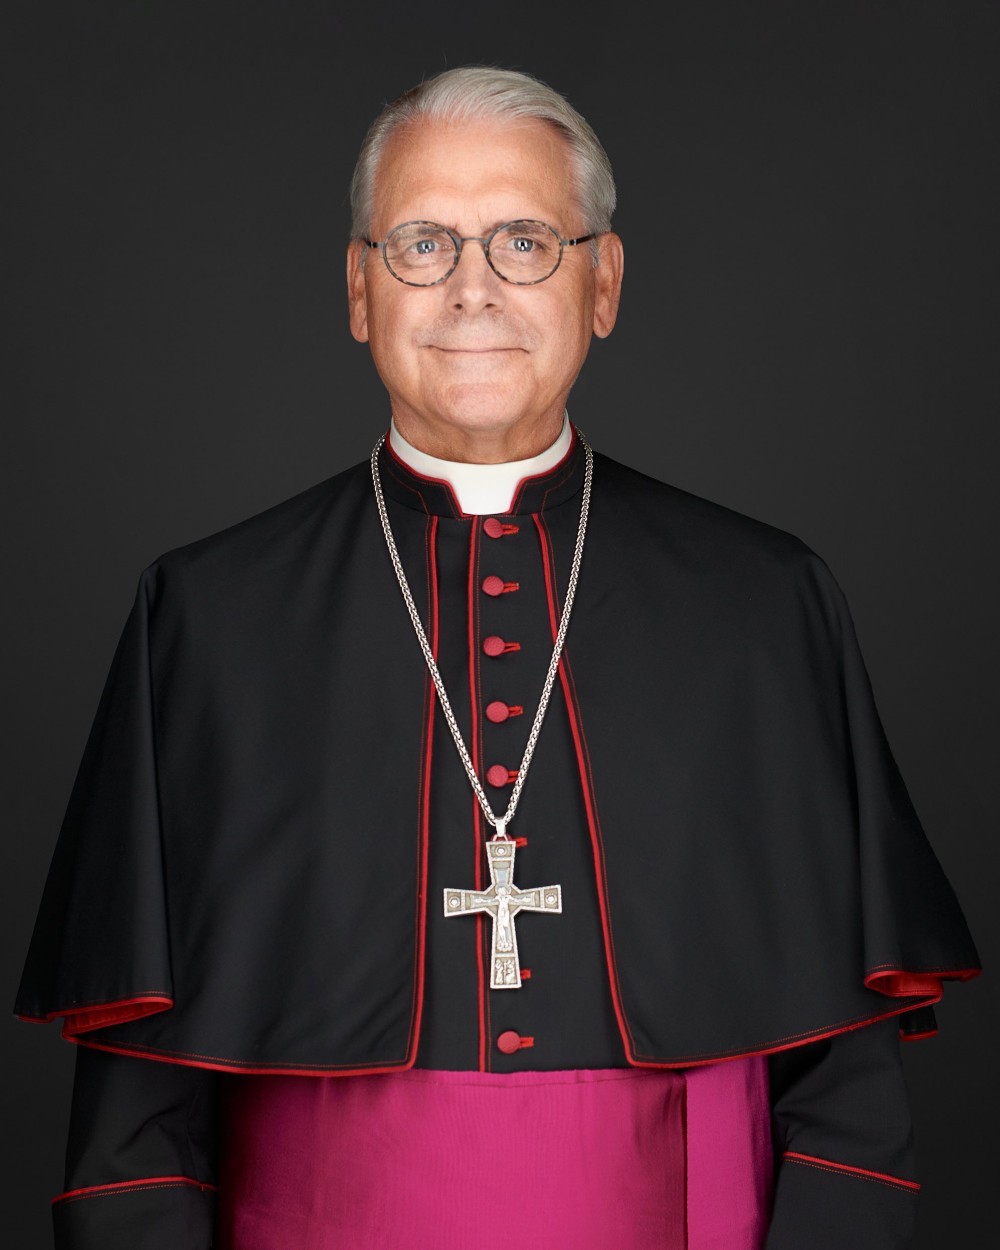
column 843, row 1144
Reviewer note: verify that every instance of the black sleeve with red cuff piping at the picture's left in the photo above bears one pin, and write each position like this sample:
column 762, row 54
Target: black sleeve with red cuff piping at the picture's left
column 142, row 1157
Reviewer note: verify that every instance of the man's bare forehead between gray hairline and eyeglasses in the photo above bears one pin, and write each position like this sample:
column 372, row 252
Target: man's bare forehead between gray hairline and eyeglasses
column 473, row 176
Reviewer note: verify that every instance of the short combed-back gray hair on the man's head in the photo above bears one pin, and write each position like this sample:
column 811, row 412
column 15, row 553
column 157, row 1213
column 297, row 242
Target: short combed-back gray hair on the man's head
column 476, row 92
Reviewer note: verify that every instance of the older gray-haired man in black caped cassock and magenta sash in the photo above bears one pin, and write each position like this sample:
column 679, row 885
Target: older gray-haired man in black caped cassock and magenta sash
column 491, row 846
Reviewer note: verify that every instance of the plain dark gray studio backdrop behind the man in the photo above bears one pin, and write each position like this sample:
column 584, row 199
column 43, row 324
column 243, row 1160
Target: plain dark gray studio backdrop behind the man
column 809, row 206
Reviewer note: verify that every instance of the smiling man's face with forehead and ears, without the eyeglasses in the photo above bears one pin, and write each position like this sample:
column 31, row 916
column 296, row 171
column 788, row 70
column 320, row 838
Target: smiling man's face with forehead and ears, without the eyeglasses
column 477, row 356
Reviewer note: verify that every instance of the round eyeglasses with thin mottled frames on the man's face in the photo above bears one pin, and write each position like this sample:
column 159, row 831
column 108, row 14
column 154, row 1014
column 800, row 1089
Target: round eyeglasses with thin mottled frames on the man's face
column 523, row 253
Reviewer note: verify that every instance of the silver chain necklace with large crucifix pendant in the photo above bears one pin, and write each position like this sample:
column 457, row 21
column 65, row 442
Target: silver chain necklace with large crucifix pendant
column 503, row 899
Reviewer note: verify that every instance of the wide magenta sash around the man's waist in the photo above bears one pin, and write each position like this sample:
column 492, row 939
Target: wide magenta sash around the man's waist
column 614, row 1159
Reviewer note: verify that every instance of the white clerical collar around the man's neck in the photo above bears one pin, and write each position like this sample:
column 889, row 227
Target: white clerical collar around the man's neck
column 477, row 491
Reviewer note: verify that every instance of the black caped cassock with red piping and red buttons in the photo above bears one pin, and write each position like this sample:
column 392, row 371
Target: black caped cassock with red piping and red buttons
column 271, row 807
